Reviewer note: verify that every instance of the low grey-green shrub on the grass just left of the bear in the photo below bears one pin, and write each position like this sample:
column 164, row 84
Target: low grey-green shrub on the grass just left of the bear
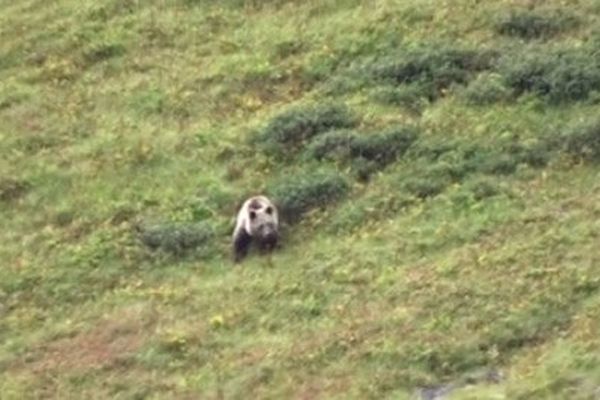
column 176, row 238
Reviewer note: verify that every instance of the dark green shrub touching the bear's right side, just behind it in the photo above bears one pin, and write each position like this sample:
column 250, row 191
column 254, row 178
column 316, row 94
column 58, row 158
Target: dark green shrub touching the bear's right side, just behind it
column 303, row 193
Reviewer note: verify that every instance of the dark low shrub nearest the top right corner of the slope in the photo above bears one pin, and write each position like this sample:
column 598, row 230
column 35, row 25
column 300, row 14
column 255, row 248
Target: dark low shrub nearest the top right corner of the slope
column 527, row 24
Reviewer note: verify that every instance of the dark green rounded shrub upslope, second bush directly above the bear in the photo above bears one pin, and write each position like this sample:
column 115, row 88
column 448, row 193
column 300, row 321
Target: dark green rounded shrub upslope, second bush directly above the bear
column 288, row 131
